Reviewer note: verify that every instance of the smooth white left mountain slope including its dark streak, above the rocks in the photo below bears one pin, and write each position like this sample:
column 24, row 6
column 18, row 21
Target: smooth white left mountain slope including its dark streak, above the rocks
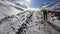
column 7, row 8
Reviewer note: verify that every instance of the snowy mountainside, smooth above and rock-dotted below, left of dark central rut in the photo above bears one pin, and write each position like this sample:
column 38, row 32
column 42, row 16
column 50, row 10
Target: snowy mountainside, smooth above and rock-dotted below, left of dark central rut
column 11, row 17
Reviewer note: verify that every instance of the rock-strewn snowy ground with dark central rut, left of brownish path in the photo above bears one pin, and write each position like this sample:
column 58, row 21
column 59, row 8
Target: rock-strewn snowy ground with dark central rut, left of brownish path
column 22, row 23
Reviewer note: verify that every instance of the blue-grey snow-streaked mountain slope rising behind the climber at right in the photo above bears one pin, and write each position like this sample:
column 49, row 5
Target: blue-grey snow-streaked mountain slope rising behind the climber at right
column 53, row 5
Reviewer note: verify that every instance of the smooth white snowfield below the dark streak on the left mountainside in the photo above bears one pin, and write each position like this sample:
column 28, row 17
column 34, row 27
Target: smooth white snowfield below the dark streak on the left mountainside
column 7, row 10
